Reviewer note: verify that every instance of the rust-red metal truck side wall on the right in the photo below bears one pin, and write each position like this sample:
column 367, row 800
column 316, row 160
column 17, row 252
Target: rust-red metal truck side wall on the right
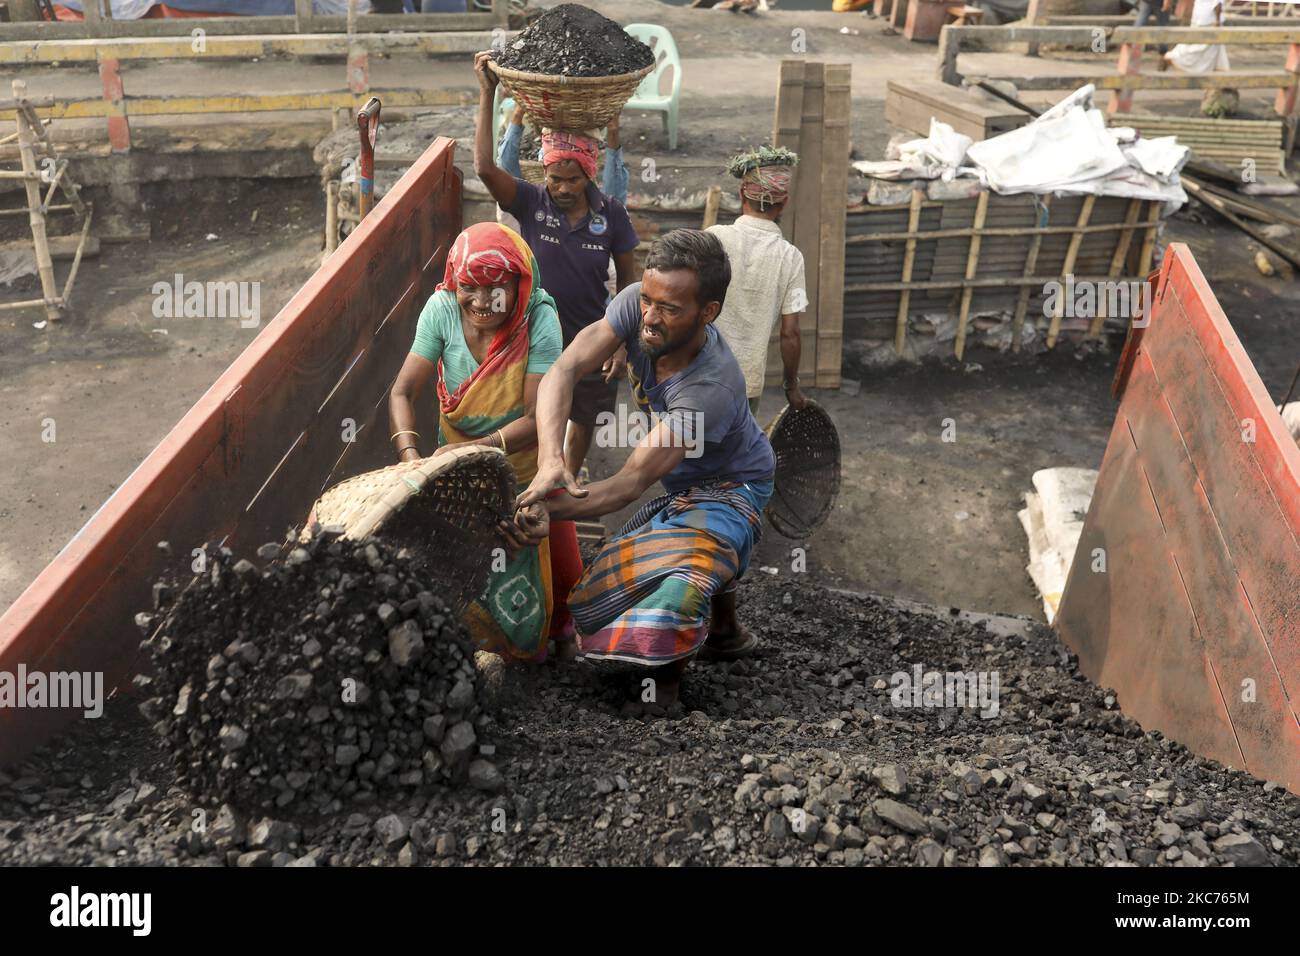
column 1195, row 621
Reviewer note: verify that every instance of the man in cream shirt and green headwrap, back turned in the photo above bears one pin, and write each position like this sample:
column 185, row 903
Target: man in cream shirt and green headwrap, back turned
column 768, row 274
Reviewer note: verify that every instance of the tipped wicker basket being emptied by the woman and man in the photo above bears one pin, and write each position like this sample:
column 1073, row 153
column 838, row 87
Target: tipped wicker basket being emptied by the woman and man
column 449, row 509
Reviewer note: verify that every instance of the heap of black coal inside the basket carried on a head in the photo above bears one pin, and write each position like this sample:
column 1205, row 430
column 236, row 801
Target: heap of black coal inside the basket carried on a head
column 575, row 41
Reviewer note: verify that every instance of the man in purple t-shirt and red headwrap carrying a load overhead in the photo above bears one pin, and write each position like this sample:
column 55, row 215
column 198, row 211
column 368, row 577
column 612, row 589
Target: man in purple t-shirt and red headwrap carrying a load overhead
column 575, row 231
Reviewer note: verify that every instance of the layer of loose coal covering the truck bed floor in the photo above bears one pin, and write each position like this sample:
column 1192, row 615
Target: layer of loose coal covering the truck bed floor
column 799, row 756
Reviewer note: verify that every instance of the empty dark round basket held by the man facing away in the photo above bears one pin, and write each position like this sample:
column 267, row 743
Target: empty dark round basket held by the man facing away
column 808, row 470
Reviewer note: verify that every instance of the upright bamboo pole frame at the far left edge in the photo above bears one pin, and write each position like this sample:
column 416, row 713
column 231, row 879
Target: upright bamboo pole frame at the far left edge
column 33, row 139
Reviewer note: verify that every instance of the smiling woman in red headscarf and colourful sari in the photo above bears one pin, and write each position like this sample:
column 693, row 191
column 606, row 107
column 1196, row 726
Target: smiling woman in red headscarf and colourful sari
column 488, row 335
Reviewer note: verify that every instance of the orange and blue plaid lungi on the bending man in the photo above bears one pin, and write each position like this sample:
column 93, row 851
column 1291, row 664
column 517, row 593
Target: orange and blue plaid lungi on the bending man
column 647, row 599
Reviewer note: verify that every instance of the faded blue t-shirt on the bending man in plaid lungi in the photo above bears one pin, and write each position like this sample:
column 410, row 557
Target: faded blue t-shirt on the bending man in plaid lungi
column 704, row 400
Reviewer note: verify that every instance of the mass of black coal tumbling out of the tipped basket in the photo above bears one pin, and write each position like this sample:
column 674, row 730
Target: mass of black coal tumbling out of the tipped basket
column 314, row 684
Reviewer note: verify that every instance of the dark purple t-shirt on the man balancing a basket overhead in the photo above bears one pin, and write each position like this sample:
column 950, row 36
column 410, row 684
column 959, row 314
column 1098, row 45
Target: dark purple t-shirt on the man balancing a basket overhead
column 575, row 263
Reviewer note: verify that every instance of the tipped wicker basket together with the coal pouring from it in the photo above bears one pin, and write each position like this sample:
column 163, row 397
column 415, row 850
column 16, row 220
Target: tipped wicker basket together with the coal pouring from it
column 340, row 674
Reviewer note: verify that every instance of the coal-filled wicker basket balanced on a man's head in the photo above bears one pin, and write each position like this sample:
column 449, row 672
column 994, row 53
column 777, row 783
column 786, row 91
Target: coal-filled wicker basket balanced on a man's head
column 573, row 68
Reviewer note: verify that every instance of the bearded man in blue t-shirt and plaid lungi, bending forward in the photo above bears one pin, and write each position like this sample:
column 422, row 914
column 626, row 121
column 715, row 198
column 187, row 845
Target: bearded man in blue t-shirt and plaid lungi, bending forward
column 664, row 590
